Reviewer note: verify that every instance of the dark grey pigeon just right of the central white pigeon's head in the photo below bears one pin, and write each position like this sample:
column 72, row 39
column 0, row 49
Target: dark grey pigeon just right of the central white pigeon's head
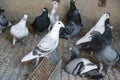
column 73, row 27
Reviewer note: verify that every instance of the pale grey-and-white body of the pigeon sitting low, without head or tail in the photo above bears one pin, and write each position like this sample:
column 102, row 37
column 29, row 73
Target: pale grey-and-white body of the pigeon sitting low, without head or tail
column 86, row 68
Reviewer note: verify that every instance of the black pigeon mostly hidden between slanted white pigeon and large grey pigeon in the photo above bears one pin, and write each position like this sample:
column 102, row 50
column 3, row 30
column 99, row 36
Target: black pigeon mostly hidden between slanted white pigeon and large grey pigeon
column 107, row 35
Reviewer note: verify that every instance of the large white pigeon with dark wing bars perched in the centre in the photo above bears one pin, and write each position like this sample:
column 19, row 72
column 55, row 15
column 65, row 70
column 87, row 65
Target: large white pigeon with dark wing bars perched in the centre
column 48, row 44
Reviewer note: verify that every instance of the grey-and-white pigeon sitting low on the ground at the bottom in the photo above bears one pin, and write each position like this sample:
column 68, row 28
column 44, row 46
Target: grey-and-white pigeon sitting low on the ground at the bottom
column 82, row 66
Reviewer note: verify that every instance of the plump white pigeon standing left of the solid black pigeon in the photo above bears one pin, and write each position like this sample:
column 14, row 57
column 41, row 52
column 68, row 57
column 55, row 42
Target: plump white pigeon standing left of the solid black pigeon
column 19, row 30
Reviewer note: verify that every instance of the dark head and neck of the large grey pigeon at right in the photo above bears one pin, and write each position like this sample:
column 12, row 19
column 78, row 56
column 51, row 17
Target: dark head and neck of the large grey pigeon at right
column 98, row 41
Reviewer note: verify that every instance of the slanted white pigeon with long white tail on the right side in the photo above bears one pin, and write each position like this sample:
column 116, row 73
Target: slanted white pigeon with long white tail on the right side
column 100, row 27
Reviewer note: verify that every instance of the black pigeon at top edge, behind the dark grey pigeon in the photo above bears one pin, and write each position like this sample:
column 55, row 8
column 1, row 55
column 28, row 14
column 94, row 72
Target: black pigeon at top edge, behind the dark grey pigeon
column 73, row 8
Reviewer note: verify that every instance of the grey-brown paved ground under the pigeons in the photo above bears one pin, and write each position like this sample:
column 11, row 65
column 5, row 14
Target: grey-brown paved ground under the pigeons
column 12, row 69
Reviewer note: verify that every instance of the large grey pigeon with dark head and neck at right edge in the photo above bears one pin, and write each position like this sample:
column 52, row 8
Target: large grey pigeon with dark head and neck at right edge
column 104, row 51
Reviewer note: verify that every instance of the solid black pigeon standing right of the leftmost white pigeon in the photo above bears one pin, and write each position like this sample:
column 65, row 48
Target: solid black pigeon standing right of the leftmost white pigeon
column 42, row 22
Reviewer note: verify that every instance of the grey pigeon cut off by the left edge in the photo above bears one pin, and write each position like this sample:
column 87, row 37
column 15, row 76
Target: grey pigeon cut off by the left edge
column 4, row 23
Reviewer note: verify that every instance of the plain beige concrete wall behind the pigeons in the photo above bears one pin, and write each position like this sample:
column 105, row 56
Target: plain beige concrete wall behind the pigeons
column 15, row 9
